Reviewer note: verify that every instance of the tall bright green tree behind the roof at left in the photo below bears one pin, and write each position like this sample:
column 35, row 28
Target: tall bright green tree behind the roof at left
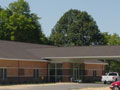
column 21, row 25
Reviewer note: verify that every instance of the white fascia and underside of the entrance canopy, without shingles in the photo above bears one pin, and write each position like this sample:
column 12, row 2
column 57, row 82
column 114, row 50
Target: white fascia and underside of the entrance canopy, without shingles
column 79, row 59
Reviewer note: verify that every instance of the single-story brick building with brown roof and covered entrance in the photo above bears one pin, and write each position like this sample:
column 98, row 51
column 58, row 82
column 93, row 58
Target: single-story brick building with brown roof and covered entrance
column 26, row 62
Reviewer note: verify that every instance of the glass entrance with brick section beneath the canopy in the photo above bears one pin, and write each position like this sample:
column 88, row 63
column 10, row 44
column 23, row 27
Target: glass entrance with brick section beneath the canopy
column 64, row 72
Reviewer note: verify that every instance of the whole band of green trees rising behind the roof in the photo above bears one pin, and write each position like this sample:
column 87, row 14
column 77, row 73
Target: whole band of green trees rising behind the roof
column 75, row 28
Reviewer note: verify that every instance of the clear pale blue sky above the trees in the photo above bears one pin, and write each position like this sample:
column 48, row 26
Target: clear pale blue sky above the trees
column 106, row 13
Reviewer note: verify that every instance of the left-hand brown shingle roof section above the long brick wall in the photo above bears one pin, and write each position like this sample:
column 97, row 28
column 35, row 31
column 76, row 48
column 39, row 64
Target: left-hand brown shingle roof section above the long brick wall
column 18, row 50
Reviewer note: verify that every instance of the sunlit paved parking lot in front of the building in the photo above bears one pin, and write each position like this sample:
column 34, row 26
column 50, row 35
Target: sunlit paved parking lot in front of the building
column 58, row 86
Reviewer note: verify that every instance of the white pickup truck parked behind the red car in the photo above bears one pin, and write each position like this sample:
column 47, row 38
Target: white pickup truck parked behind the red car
column 110, row 77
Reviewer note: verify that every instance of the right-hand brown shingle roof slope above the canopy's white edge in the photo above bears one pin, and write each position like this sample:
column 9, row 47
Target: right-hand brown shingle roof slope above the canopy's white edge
column 77, row 51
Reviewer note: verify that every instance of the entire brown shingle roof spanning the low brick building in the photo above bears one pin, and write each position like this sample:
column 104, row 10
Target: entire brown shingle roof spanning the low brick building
column 18, row 50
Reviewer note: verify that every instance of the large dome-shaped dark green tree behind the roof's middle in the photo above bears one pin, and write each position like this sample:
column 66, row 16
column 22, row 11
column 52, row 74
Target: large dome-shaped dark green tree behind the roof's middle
column 76, row 28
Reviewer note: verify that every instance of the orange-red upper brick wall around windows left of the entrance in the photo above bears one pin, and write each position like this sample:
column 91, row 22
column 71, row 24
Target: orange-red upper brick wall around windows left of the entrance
column 28, row 66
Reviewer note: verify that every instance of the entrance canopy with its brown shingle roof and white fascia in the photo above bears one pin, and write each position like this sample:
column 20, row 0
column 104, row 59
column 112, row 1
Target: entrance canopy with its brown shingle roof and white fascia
column 82, row 53
